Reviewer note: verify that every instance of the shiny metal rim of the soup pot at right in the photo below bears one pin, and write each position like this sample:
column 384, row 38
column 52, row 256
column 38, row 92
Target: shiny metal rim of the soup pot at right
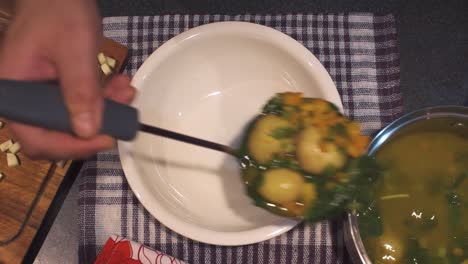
column 352, row 236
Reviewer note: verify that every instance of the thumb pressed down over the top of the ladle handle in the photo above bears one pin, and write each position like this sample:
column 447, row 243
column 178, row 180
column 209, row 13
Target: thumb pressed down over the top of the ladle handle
column 81, row 90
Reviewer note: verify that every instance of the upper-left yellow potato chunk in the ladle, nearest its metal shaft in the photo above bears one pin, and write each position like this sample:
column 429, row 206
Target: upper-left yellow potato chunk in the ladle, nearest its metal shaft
column 261, row 143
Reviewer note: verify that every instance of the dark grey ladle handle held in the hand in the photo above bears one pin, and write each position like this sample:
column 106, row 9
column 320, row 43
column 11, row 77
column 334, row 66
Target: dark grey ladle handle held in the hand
column 41, row 104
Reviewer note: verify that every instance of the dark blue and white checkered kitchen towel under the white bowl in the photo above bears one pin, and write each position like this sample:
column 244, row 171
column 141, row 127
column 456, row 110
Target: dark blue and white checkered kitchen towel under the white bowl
column 360, row 53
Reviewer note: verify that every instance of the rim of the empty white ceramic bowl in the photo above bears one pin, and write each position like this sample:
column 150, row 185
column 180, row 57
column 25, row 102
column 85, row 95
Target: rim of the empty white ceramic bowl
column 279, row 39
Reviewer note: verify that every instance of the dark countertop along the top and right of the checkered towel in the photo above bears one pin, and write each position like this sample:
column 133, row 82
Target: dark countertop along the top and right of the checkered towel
column 433, row 36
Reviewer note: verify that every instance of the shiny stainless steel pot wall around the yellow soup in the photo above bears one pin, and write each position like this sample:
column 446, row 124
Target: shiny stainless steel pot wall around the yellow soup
column 438, row 116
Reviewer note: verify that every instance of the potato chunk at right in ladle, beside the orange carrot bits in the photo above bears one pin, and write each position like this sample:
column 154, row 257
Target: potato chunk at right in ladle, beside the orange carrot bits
column 315, row 155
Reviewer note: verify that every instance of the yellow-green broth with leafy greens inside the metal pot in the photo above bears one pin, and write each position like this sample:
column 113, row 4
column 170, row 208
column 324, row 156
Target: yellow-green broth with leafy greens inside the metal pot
column 419, row 213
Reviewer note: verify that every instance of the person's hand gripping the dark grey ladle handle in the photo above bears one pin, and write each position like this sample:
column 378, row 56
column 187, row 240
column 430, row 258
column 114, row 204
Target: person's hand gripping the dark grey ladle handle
column 59, row 40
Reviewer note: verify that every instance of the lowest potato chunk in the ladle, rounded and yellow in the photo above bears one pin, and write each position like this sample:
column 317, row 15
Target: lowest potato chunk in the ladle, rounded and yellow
column 281, row 186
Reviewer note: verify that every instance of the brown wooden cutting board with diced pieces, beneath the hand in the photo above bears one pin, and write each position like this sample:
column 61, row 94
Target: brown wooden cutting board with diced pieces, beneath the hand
column 27, row 190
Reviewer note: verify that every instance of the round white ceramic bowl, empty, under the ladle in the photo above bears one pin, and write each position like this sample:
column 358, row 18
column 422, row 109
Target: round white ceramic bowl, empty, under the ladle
column 209, row 82
